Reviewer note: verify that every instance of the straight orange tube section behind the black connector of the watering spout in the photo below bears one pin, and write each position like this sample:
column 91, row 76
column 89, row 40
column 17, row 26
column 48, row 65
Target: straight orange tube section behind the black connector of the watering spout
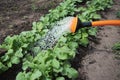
column 106, row 22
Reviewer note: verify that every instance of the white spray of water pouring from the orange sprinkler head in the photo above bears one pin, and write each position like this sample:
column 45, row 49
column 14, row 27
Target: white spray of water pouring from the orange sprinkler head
column 49, row 40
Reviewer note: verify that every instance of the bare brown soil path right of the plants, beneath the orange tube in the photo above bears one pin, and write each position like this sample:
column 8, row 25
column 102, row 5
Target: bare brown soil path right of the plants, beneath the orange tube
column 100, row 62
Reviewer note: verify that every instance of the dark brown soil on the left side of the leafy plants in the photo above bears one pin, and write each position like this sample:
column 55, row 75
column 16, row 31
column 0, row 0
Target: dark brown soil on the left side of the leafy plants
column 17, row 16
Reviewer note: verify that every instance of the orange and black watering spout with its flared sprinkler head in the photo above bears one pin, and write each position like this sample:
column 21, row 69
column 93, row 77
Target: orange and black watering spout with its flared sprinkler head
column 77, row 24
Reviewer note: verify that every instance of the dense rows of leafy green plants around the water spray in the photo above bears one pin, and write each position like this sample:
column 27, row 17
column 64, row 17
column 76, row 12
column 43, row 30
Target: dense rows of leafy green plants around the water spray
column 52, row 63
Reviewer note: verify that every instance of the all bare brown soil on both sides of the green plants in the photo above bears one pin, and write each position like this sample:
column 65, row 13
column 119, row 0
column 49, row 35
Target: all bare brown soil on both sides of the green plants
column 97, row 62
